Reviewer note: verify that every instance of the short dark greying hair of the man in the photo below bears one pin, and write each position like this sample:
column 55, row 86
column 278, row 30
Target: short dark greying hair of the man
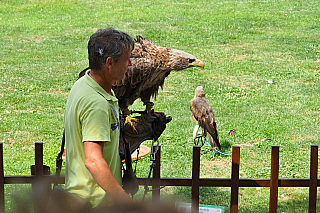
column 107, row 43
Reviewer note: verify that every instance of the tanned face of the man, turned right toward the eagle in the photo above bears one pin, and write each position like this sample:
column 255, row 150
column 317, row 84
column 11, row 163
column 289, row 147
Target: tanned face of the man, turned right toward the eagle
column 120, row 67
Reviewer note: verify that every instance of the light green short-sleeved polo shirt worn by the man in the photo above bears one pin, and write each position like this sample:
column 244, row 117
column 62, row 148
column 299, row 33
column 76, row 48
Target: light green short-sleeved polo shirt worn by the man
column 89, row 117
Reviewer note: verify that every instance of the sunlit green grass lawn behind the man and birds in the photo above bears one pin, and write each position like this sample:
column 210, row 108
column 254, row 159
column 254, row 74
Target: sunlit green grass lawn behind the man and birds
column 261, row 77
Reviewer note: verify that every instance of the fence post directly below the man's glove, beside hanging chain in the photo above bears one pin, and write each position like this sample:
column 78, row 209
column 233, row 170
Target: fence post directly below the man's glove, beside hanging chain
column 156, row 175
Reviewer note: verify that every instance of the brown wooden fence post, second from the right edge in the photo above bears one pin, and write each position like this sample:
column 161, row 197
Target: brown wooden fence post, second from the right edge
column 274, row 179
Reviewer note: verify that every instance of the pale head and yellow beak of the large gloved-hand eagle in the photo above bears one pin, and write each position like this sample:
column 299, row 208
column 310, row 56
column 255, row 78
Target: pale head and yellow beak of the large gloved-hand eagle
column 179, row 60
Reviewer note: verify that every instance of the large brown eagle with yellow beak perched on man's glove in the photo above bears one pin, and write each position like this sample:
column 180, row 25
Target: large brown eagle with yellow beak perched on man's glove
column 151, row 64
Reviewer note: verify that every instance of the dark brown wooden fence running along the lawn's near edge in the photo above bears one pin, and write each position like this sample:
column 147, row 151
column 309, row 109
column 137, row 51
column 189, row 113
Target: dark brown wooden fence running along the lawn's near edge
column 195, row 182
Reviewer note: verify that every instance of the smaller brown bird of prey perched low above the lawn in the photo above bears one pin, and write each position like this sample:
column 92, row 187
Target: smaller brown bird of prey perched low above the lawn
column 203, row 113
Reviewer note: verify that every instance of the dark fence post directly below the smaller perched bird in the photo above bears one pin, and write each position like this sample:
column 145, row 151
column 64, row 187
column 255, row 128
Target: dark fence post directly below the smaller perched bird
column 195, row 179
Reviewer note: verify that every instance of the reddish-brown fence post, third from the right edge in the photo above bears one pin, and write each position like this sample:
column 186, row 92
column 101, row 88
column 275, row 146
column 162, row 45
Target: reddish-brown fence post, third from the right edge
column 235, row 179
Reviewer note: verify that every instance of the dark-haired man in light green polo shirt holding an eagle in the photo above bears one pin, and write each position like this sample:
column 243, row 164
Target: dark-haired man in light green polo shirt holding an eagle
column 93, row 167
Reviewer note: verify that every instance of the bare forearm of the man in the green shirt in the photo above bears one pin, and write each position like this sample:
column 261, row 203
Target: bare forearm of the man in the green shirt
column 101, row 172
